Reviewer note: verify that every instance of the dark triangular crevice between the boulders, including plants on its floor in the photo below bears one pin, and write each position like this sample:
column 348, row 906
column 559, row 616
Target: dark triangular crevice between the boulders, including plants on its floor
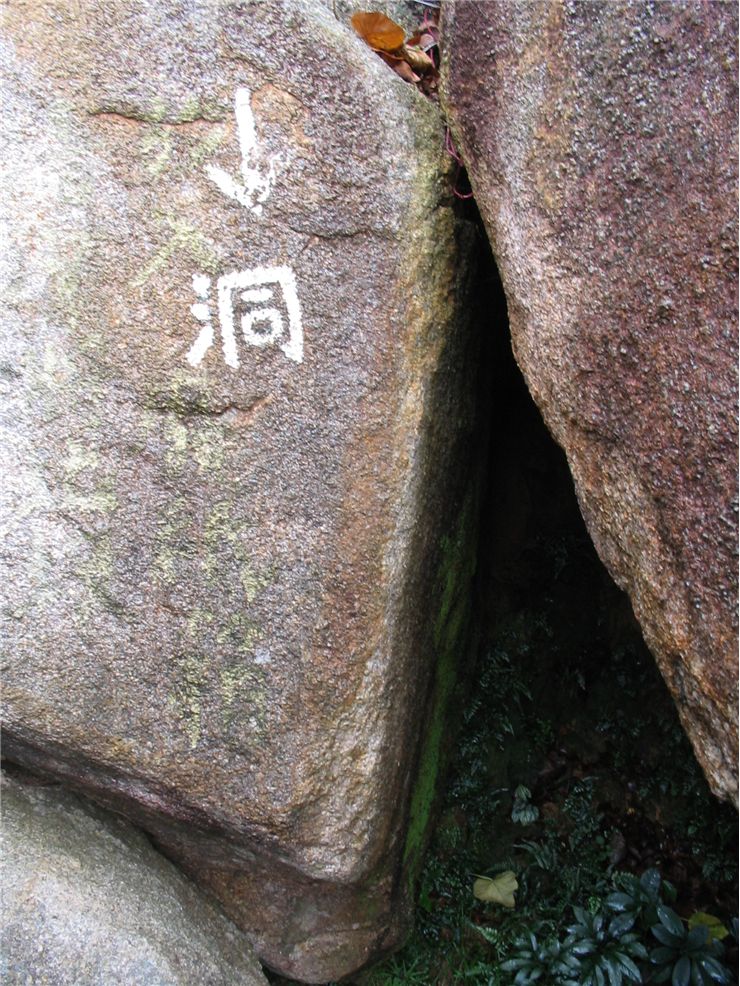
column 571, row 771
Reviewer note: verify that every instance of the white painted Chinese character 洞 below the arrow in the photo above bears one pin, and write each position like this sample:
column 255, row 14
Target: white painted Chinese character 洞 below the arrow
column 261, row 298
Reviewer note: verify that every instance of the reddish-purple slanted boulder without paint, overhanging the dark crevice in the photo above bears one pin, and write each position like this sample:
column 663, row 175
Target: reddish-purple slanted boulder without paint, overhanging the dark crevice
column 601, row 145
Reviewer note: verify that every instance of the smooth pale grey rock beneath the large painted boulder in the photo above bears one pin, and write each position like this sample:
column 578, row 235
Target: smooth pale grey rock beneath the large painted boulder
column 87, row 901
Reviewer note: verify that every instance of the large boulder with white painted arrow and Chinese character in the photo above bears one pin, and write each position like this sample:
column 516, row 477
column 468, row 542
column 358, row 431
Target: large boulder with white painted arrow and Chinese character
column 236, row 396
